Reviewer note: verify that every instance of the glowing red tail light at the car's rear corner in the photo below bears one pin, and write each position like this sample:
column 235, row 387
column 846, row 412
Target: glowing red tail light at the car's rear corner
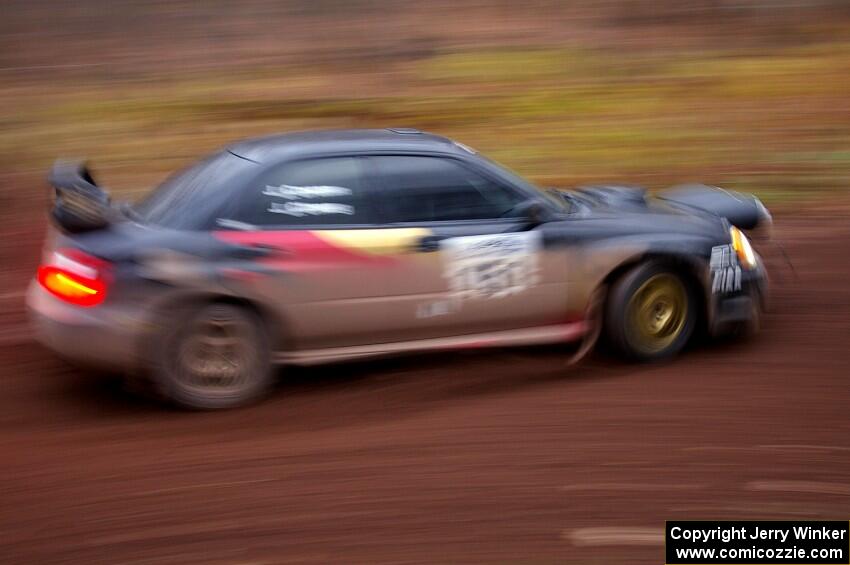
column 75, row 277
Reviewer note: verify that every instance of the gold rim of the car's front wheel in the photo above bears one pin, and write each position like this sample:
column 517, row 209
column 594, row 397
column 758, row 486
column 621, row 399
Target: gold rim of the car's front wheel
column 657, row 312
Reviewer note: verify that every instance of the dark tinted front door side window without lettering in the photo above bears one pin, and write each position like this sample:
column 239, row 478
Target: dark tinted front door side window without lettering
column 435, row 189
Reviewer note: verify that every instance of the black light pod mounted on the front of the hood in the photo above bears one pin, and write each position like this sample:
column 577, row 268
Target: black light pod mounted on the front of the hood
column 743, row 211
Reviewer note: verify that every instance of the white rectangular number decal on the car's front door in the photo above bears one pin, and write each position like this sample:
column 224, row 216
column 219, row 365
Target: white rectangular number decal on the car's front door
column 491, row 266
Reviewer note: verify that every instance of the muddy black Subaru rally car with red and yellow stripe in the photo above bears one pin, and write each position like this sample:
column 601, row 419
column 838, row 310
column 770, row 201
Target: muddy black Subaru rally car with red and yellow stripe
column 320, row 246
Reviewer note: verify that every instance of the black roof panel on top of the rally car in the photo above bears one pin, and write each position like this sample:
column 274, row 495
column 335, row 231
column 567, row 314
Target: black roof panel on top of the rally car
column 311, row 143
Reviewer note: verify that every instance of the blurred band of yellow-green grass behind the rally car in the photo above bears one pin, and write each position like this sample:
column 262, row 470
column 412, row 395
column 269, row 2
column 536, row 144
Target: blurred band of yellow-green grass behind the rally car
column 775, row 123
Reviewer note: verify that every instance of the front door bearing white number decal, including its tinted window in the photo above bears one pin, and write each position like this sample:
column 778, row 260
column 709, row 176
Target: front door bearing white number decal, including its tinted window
column 478, row 269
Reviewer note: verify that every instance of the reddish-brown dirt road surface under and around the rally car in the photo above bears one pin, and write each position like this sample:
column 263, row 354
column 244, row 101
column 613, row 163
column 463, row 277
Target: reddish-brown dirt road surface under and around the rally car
column 477, row 457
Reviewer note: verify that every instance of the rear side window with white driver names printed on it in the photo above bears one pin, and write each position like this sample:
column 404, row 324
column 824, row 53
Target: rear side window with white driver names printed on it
column 324, row 191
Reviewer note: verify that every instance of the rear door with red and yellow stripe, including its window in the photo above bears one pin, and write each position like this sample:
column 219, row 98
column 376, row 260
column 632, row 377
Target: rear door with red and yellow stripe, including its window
column 326, row 262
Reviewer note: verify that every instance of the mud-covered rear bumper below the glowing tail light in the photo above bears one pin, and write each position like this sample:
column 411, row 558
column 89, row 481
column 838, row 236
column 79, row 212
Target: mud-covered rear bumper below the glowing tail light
column 101, row 336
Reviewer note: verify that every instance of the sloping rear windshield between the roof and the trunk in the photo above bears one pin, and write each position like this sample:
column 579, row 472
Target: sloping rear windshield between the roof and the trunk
column 189, row 199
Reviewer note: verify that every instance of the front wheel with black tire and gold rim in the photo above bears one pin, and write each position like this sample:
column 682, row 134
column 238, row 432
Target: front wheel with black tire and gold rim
column 651, row 313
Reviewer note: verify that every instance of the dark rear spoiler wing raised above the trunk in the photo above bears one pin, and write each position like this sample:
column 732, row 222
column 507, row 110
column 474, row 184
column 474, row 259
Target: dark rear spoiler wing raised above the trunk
column 79, row 204
